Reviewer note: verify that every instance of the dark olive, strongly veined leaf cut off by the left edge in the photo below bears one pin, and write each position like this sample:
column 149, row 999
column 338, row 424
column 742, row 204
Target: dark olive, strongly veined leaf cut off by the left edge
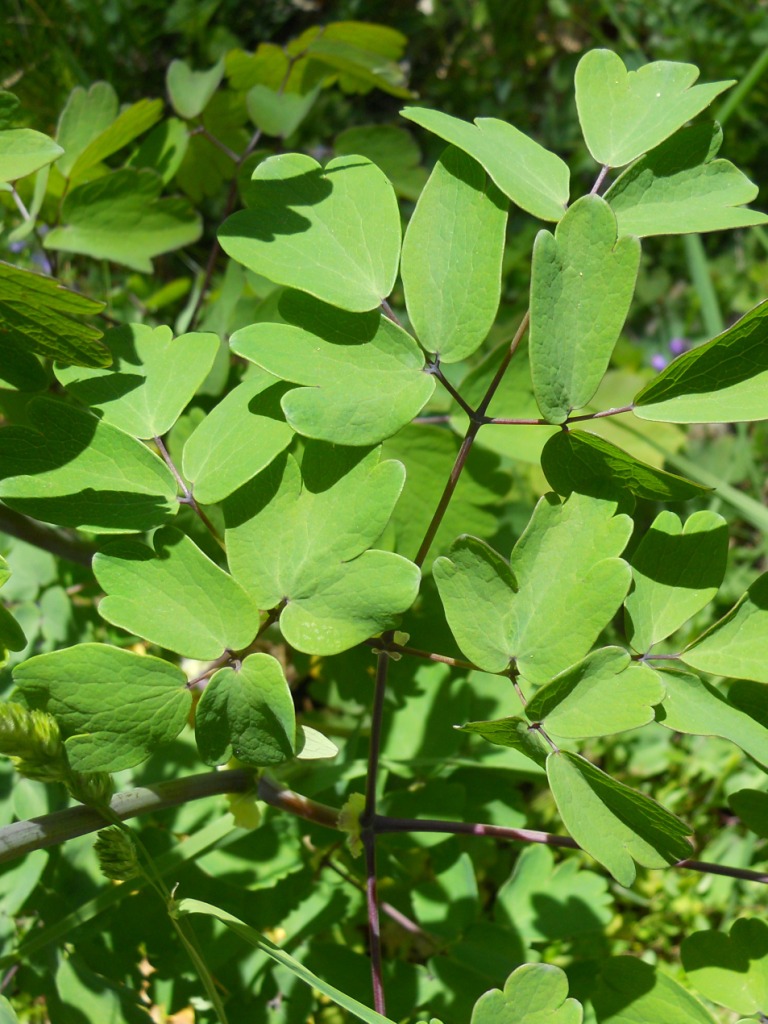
column 38, row 316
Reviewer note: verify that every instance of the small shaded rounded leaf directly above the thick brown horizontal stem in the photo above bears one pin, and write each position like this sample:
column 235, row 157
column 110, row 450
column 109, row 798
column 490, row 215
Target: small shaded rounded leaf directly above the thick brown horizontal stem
column 247, row 713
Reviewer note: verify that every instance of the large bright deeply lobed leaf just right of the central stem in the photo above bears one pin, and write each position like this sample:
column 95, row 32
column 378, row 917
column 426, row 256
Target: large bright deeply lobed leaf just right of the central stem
column 566, row 560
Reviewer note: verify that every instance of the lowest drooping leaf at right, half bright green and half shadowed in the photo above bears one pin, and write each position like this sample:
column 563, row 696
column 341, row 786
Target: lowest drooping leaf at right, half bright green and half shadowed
column 616, row 825
